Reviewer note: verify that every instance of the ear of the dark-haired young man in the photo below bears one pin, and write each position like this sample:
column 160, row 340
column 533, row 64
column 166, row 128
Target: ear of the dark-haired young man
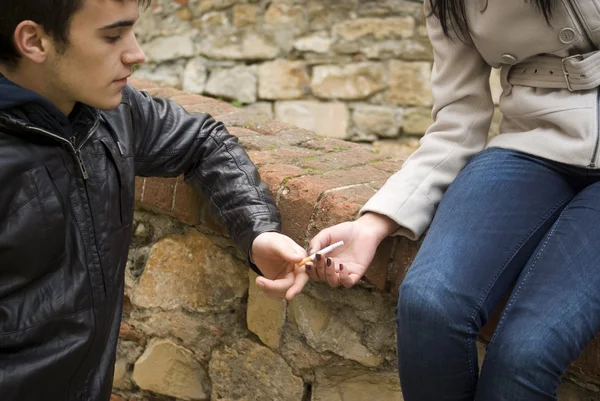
column 32, row 42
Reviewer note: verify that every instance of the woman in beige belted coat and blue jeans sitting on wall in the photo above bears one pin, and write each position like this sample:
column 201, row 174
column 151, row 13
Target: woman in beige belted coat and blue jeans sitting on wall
column 523, row 214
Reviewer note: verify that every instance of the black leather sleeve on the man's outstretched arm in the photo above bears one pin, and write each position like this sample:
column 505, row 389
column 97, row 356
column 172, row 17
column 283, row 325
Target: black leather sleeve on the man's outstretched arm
column 168, row 142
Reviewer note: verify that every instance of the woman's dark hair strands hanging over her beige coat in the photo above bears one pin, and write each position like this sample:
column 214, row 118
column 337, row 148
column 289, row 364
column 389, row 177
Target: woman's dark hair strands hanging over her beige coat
column 453, row 18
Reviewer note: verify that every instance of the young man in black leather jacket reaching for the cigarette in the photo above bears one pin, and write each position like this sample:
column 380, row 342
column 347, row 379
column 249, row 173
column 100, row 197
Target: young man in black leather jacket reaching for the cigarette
column 72, row 137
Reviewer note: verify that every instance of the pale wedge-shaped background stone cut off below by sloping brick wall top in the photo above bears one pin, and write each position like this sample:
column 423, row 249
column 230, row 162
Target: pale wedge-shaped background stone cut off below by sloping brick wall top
column 327, row 119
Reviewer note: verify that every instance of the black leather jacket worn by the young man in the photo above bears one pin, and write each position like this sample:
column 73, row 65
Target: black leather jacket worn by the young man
column 66, row 211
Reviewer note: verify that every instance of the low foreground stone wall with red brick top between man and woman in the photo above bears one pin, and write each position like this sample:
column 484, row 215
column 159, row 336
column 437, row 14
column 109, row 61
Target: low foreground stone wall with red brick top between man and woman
column 196, row 328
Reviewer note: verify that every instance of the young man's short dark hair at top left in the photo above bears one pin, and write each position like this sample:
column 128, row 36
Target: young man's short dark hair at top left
column 54, row 15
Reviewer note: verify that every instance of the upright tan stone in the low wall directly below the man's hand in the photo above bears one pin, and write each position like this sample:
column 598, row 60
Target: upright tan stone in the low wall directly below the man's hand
column 265, row 316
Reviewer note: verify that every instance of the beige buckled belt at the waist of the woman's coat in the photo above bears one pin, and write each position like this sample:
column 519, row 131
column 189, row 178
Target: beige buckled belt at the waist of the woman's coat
column 575, row 73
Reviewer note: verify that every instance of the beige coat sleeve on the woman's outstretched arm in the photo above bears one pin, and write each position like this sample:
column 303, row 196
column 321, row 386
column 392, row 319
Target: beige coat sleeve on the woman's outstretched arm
column 462, row 113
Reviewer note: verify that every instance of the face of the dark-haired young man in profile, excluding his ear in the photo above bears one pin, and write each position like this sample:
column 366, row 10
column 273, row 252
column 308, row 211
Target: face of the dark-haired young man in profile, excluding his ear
column 92, row 68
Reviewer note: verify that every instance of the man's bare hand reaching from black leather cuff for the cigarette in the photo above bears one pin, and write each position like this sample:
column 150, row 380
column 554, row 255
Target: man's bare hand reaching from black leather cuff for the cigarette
column 276, row 255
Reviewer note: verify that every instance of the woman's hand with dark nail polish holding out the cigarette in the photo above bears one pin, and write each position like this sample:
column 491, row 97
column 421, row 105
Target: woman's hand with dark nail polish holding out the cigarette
column 347, row 264
